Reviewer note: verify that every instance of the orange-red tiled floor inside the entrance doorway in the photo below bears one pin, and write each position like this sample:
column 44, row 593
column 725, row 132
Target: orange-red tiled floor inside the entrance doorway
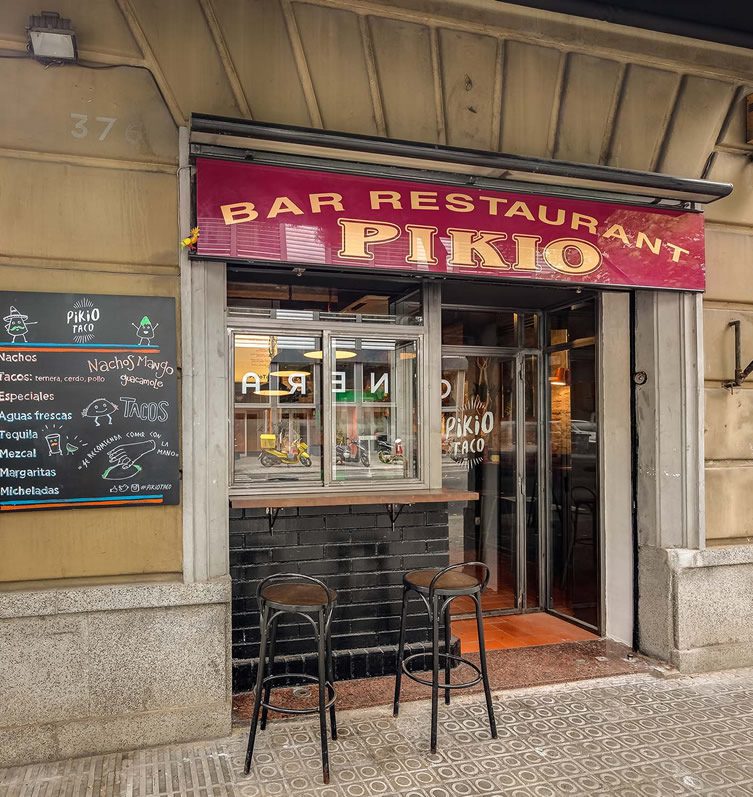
column 518, row 631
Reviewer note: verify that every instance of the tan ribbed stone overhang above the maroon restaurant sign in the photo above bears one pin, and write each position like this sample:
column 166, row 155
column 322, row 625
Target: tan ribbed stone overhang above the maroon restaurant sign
column 468, row 73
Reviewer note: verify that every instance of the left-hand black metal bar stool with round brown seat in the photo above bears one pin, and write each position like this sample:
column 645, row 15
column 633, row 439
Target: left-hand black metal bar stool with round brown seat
column 293, row 593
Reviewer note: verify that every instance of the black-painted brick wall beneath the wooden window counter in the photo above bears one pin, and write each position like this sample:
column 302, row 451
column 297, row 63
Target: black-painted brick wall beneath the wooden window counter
column 354, row 550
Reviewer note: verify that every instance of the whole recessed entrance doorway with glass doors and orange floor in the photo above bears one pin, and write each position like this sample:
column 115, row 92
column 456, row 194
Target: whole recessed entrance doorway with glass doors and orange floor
column 520, row 427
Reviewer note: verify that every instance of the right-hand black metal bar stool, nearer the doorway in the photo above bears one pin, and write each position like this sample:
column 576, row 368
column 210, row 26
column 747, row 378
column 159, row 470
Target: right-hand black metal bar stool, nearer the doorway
column 437, row 589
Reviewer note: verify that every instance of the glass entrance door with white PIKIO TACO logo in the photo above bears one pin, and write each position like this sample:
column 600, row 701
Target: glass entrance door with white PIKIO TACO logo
column 490, row 445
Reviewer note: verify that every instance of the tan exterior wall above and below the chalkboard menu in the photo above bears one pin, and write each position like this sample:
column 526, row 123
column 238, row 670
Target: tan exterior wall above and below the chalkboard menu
column 88, row 198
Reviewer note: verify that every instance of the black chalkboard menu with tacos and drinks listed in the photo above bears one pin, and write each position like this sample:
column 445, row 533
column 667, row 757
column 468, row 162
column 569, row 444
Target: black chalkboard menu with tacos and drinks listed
column 88, row 401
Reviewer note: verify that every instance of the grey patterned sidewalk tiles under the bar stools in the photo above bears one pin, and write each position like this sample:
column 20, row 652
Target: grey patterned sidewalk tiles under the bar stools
column 629, row 736
